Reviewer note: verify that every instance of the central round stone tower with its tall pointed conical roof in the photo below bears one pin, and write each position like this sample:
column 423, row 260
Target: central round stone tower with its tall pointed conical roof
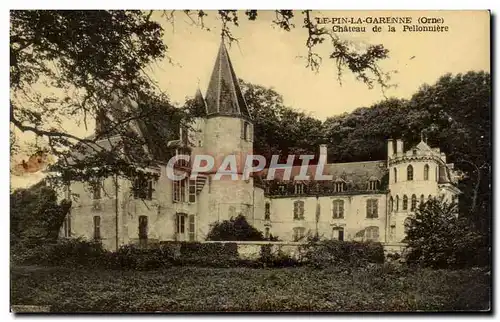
column 229, row 139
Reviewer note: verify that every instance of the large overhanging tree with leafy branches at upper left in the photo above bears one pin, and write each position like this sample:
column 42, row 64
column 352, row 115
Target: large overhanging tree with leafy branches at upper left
column 91, row 64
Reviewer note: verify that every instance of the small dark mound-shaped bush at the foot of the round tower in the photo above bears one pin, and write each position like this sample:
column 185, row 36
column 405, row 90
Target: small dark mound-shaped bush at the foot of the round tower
column 234, row 229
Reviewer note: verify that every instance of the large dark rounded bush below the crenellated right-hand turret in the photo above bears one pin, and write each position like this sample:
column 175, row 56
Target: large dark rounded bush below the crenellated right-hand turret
column 438, row 238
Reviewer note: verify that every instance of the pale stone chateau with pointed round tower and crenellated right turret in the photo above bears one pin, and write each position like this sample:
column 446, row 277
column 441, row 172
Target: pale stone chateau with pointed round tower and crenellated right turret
column 364, row 200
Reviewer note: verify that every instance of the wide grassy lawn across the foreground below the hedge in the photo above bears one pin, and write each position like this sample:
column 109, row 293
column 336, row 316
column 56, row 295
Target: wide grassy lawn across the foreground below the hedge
column 247, row 289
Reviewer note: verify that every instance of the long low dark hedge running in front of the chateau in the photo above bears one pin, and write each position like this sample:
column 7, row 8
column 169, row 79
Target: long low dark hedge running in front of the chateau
column 79, row 252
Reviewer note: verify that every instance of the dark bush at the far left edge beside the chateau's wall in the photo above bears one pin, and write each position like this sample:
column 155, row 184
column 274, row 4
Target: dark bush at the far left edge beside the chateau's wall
column 35, row 215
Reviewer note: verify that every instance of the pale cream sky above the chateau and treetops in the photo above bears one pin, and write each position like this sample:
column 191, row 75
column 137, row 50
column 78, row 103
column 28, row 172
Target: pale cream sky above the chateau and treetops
column 269, row 56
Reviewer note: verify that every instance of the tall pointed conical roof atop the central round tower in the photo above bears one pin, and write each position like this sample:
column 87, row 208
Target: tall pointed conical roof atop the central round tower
column 224, row 95
